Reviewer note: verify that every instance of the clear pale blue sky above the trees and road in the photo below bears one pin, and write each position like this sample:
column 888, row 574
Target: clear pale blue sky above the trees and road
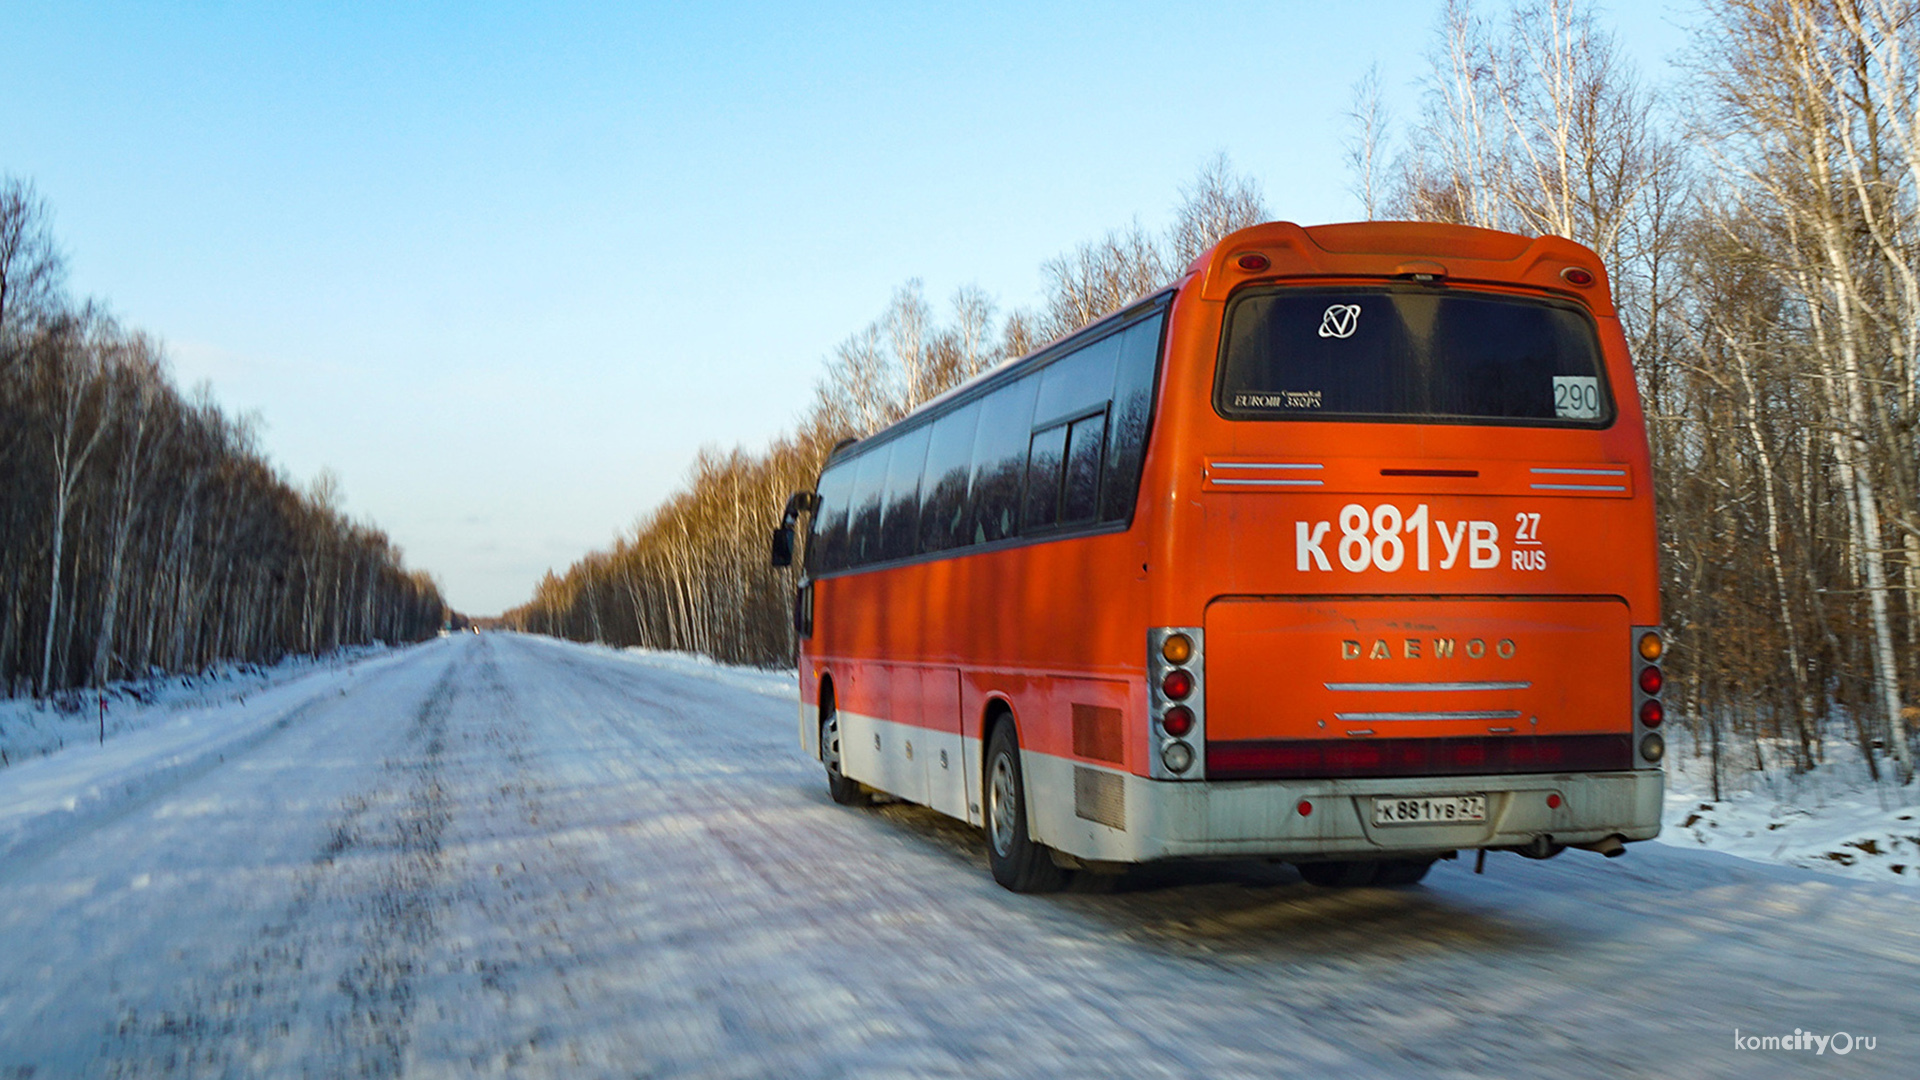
column 504, row 268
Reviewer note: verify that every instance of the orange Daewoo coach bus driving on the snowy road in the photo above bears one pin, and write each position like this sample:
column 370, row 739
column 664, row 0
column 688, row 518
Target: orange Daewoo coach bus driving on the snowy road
column 1339, row 552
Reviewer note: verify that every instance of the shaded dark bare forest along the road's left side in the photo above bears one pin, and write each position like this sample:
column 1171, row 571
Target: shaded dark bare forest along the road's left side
column 141, row 529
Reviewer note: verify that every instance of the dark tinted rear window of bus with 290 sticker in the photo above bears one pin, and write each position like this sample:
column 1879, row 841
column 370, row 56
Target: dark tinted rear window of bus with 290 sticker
column 1410, row 355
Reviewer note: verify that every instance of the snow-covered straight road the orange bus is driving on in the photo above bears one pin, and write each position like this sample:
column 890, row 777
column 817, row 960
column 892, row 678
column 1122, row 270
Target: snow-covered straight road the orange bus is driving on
column 510, row 856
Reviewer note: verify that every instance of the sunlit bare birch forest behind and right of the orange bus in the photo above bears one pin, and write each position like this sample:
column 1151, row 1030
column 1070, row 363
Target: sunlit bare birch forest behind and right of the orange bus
column 1760, row 212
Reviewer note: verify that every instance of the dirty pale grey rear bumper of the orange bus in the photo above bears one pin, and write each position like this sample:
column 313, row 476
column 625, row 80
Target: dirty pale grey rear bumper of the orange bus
column 1332, row 820
